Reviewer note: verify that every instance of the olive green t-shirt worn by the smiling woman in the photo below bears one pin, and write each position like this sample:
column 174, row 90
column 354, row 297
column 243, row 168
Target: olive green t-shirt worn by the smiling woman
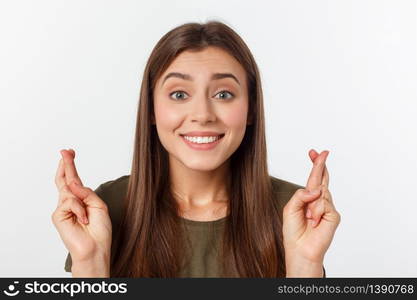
column 205, row 236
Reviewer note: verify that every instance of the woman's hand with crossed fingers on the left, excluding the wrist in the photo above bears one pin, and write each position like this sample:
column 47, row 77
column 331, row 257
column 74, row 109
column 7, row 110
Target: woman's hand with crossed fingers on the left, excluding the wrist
column 81, row 217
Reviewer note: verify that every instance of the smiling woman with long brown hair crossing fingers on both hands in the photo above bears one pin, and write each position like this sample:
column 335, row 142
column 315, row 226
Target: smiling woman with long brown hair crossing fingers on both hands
column 199, row 200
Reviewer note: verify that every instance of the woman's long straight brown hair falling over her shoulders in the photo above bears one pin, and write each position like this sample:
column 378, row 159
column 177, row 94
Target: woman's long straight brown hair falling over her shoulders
column 150, row 240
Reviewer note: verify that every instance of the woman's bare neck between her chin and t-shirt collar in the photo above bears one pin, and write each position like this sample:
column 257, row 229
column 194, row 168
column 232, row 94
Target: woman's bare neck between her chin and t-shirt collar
column 194, row 188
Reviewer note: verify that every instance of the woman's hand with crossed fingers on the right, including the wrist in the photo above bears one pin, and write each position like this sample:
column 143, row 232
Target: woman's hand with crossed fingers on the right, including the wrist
column 309, row 222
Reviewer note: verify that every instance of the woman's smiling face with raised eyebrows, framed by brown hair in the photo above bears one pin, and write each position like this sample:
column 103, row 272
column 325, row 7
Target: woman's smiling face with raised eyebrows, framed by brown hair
column 201, row 108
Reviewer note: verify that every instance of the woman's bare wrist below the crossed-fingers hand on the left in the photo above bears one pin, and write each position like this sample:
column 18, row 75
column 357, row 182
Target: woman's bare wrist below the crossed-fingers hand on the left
column 98, row 266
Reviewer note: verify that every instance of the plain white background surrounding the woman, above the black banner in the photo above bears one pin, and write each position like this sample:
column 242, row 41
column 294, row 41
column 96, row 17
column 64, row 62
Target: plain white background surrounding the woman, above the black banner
column 337, row 75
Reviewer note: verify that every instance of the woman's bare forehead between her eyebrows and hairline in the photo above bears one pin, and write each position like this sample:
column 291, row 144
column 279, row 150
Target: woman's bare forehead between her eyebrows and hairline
column 207, row 61
